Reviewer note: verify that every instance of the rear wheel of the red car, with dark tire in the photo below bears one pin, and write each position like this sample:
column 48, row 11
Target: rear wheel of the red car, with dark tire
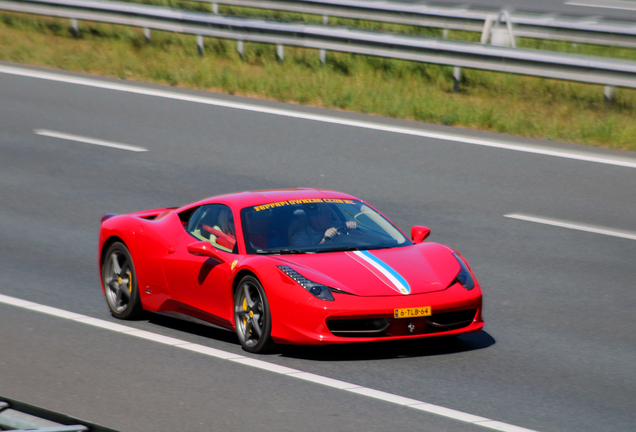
column 120, row 283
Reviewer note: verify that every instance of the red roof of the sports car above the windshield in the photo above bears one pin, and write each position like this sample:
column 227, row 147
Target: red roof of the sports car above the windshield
column 253, row 198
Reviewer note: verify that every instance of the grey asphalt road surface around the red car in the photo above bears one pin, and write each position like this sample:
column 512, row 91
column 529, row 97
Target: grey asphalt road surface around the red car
column 559, row 346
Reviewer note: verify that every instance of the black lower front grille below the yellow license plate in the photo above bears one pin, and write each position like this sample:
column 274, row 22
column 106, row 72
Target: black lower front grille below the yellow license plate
column 384, row 327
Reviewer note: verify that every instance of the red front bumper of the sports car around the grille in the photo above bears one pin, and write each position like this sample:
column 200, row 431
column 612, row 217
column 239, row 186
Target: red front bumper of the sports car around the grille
column 300, row 318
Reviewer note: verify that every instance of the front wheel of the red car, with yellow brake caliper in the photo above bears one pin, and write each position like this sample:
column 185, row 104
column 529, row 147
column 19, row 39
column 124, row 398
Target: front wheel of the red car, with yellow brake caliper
column 252, row 317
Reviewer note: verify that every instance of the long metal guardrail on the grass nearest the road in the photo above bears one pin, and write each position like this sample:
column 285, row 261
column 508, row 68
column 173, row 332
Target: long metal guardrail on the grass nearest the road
column 454, row 53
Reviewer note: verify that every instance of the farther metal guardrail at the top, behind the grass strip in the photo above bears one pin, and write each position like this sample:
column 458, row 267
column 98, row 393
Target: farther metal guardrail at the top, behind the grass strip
column 538, row 26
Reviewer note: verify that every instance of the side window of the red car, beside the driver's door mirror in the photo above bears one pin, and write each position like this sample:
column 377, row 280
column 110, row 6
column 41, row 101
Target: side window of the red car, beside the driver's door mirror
column 214, row 223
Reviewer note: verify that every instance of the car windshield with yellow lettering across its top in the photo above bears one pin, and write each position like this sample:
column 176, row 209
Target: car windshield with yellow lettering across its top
column 317, row 225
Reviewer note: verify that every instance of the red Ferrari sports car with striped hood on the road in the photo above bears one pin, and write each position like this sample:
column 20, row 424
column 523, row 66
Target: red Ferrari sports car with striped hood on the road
column 298, row 266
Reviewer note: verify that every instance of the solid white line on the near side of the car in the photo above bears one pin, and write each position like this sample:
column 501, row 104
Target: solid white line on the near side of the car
column 282, row 370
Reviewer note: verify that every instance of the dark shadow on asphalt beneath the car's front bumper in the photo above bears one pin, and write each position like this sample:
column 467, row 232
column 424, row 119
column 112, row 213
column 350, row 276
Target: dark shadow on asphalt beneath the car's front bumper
column 390, row 350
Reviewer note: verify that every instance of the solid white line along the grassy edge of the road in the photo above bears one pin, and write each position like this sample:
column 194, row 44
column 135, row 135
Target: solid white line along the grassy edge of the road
column 588, row 156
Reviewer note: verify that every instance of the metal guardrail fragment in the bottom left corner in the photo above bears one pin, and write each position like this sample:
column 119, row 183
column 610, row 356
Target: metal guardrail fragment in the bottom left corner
column 22, row 417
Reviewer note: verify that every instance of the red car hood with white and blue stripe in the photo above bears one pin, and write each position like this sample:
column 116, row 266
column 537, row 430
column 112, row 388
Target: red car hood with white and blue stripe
column 408, row 270
